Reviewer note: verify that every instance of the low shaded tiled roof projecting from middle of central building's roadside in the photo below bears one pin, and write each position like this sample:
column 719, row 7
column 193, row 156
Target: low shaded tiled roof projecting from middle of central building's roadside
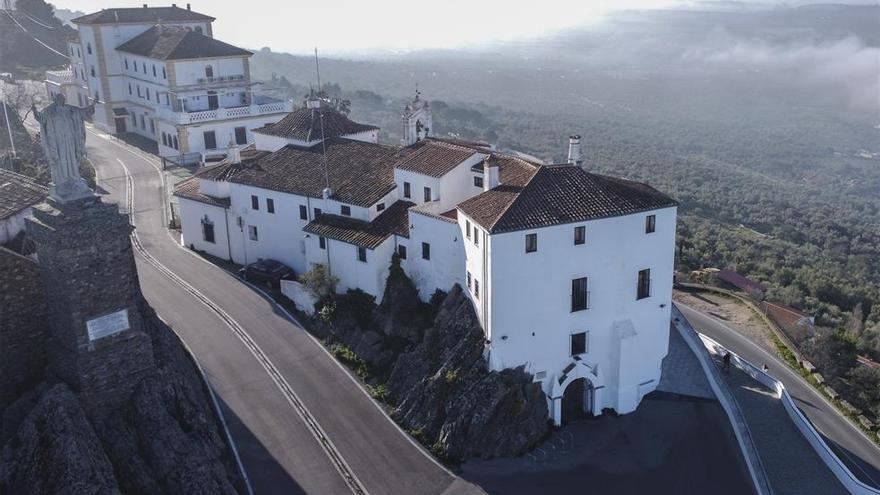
column 394, row 220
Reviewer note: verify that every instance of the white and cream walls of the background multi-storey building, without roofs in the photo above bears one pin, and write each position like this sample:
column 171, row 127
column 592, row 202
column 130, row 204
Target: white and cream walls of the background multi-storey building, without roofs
column 176, row 103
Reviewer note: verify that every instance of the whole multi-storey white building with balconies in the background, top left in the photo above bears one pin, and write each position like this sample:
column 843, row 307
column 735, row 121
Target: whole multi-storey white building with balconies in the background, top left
column 158, row 72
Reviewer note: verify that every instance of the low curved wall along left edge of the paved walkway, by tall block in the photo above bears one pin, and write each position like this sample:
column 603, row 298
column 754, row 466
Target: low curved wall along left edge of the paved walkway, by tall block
column 728, row 402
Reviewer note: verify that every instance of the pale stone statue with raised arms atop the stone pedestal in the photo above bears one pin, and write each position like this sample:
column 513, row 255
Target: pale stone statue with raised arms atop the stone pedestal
column 63, row 136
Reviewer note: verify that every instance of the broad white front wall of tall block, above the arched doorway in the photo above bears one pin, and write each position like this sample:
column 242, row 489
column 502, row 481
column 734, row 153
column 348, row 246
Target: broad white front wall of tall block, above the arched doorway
column 531, row 293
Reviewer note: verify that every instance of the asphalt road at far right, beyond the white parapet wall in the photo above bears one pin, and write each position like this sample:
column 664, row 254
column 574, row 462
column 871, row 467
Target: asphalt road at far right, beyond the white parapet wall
column 859, row 454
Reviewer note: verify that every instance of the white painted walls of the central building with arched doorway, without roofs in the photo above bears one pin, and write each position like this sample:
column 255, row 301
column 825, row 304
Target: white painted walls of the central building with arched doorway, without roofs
column 522, row 299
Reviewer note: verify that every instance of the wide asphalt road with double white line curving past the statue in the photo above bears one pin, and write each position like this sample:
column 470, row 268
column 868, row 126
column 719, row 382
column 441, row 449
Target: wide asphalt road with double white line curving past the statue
column 292, row 407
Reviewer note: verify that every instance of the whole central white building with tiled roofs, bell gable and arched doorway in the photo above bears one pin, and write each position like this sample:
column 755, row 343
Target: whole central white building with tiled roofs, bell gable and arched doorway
column 569, row 272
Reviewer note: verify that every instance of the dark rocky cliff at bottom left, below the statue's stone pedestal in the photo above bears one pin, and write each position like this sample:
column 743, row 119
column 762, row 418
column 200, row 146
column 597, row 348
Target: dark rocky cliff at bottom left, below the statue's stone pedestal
column 165, row 439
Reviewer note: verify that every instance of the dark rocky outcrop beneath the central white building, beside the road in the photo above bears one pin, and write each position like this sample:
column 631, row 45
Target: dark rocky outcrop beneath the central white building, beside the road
column 430, row 360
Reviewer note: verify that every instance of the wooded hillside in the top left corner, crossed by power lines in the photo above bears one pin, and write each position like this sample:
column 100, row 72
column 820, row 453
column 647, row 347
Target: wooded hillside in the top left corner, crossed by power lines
column 20, row 52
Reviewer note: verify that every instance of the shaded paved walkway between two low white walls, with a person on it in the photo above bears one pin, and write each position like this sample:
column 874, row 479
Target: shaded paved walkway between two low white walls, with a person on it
column 792, row 465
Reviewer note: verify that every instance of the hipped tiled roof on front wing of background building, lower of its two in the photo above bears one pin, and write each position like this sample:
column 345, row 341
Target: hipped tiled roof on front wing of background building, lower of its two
column 177, row 43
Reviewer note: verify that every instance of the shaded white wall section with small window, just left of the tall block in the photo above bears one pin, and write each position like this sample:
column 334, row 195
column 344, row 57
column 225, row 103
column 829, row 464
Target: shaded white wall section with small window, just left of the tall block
column 446, row 266
